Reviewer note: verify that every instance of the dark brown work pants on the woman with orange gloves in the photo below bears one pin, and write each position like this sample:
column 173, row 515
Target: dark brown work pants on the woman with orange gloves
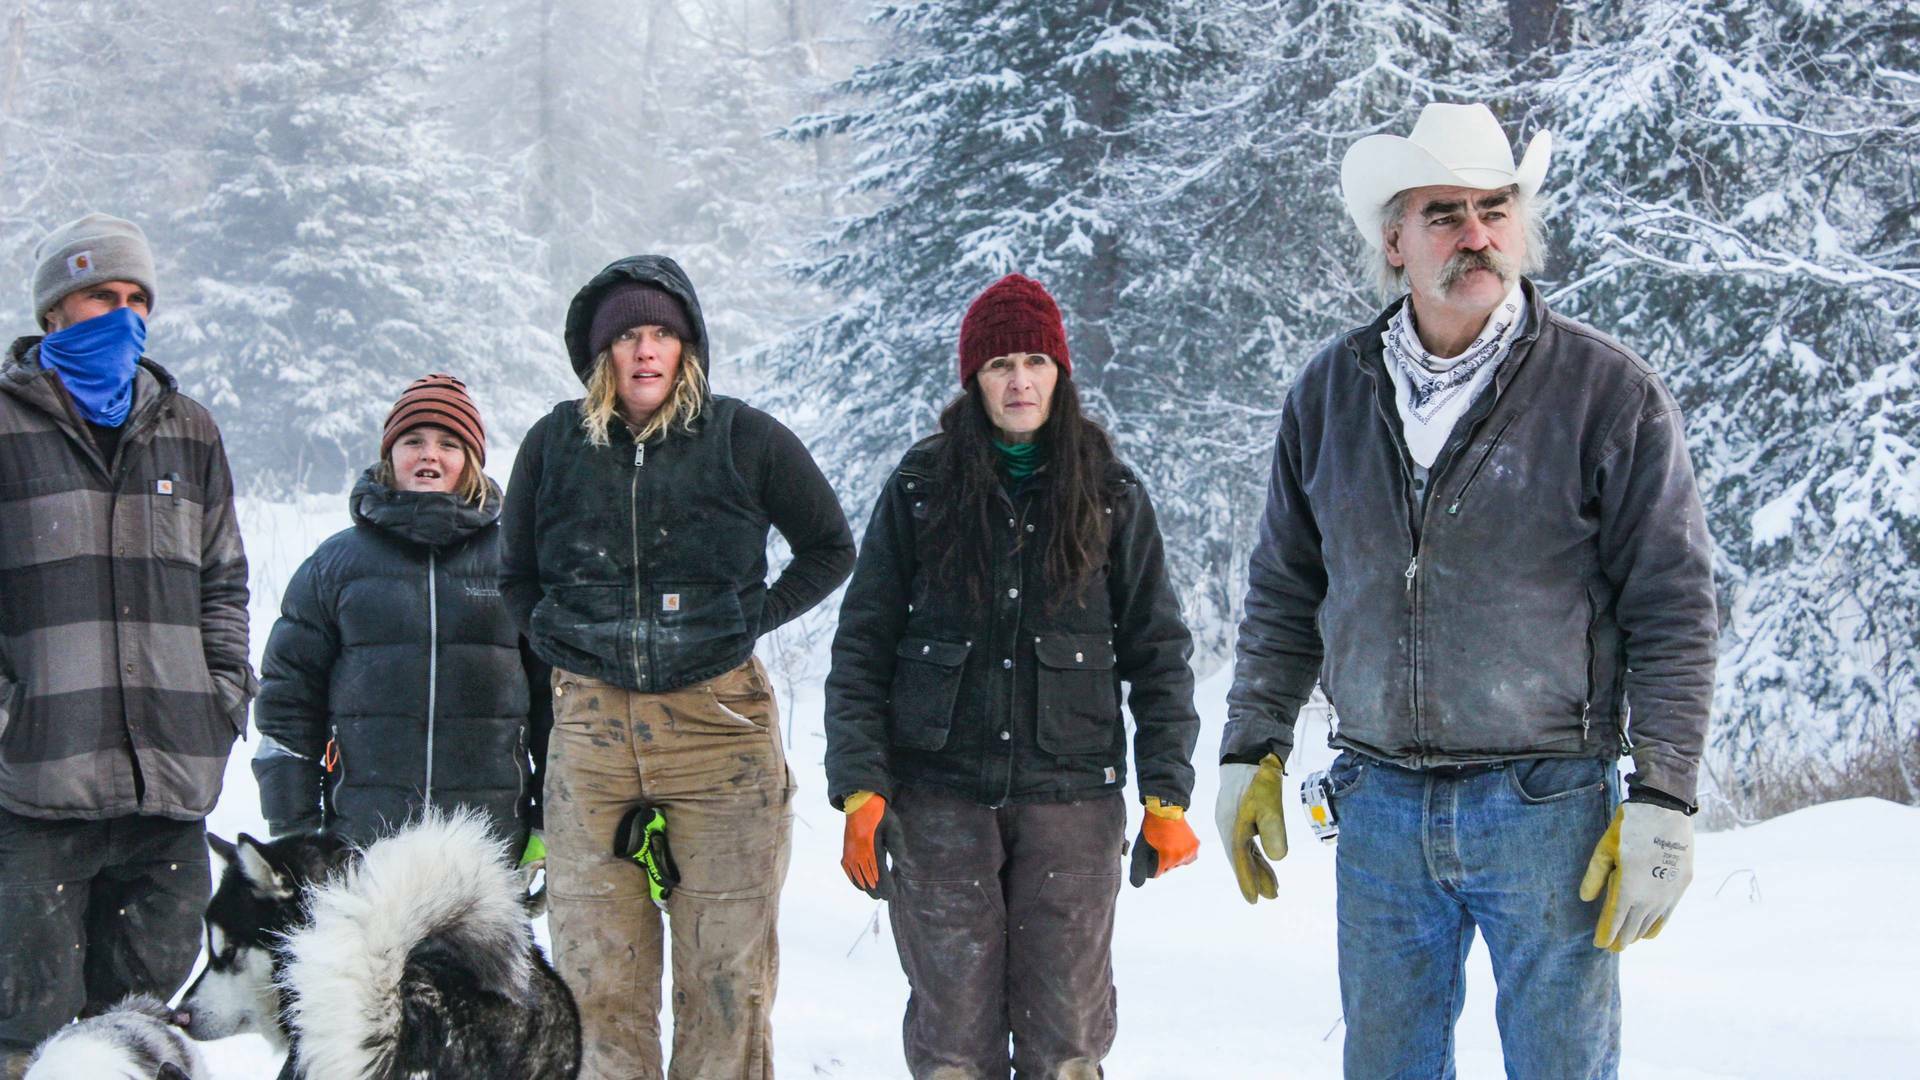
column 1005, row 927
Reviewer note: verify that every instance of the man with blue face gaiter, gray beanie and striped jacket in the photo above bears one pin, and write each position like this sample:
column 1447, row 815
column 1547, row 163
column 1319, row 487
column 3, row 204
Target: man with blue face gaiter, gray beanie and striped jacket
column 124, row 645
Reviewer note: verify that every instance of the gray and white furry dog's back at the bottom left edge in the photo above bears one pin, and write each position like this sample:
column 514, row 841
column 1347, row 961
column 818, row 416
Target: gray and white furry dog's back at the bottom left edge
column 133, row 1041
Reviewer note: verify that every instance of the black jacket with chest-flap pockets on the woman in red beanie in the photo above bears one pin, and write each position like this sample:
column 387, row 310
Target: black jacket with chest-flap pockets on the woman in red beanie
column 1009, row 700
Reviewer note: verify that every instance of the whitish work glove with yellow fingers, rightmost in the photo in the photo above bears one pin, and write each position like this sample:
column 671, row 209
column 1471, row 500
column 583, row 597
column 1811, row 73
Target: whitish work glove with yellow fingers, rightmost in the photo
column 1646, row 862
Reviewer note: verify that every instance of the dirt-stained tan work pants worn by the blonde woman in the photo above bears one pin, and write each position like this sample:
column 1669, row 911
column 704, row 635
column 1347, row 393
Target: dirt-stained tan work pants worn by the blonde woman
column 711, row 758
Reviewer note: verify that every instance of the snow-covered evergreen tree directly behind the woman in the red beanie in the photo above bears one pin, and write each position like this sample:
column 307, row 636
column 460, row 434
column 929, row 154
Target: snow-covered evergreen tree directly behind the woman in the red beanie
column 988, row 141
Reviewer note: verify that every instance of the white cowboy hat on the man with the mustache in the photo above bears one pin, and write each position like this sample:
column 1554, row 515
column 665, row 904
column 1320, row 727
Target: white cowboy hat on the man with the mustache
column 1451, row 147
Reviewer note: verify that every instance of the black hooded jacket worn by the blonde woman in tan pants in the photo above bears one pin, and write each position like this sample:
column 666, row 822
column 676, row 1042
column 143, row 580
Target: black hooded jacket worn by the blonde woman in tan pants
column 646, row 564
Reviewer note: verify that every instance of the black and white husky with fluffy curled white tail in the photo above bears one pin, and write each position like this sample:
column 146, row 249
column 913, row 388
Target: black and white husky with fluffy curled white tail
column 412, row 958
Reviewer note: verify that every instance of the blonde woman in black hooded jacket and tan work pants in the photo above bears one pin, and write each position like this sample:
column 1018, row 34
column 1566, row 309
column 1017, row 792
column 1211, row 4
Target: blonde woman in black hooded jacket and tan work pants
column 636, row 564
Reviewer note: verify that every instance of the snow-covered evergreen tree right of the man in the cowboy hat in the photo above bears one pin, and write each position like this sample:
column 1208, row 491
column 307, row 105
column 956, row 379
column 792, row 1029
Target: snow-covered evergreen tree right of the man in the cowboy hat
column 1742, row 210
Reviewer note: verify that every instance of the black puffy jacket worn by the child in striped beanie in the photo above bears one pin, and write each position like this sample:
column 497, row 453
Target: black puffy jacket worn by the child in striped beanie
column 395, row 675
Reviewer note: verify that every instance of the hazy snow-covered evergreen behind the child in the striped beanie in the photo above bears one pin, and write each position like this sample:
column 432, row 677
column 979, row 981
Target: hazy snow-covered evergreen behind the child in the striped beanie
column 347, row 249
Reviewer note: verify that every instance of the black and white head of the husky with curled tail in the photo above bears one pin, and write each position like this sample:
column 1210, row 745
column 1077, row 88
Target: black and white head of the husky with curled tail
column 258, row 902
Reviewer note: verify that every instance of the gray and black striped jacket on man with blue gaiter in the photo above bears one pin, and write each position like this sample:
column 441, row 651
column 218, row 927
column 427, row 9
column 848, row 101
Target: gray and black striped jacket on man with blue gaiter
column 124, row 629
